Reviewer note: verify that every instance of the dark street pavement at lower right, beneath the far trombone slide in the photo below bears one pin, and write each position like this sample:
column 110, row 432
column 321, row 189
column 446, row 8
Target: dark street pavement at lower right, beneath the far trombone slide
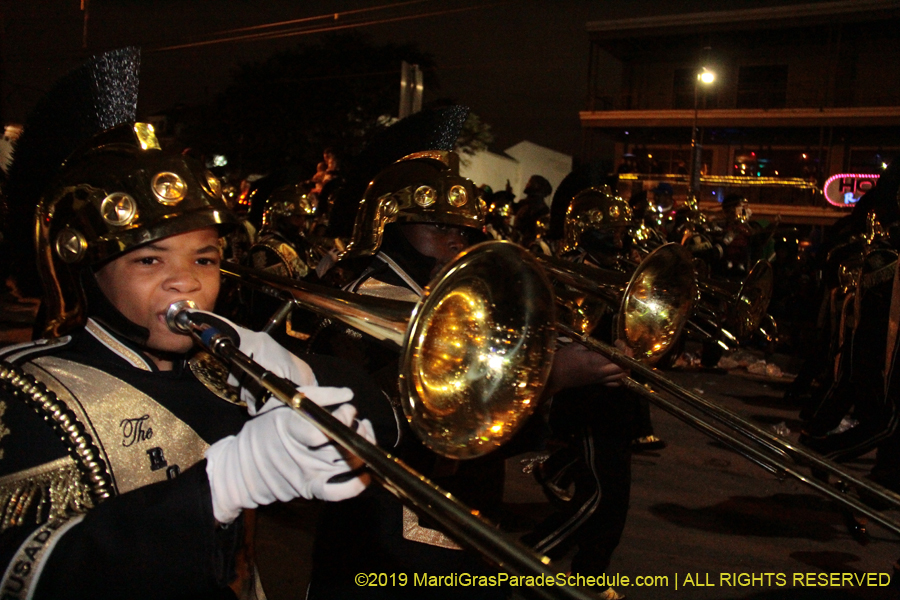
column 700, row 509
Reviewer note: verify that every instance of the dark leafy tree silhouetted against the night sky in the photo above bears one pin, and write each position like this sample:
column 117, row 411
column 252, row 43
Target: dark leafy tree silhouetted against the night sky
column 284, row 111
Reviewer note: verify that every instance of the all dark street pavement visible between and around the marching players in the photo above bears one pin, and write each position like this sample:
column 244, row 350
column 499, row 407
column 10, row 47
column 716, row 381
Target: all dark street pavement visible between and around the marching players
column 705, row 523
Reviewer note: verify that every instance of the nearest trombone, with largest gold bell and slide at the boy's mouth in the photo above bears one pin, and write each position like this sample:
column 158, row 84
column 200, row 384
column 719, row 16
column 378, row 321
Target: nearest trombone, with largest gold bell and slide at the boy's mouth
column 464, row 339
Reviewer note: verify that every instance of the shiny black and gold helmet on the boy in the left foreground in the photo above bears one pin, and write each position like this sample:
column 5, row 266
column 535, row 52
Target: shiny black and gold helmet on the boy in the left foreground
column 118, row 192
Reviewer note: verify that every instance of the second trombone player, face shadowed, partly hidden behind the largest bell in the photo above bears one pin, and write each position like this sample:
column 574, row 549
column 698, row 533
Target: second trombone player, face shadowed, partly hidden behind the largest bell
column 416, row 216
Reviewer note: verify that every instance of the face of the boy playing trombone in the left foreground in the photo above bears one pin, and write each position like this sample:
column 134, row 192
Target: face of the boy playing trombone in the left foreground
column 142, row 283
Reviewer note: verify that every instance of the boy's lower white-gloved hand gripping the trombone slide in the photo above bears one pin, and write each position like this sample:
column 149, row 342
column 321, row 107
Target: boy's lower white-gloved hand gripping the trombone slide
column 279, row 455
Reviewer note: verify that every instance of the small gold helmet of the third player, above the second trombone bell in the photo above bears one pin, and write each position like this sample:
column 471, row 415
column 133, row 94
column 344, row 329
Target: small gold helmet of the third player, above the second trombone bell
column 594, row 210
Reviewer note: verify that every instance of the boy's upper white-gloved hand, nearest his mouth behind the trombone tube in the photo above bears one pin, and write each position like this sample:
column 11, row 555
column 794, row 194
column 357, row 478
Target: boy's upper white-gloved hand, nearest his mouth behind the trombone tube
column 270, row 355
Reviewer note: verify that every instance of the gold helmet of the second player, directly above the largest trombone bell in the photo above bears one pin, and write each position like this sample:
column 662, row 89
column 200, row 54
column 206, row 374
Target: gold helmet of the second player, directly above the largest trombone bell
column 424, row 187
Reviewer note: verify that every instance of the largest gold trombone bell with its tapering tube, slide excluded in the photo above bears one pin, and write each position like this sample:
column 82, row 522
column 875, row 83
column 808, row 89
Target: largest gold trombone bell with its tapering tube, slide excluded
column 475, row 352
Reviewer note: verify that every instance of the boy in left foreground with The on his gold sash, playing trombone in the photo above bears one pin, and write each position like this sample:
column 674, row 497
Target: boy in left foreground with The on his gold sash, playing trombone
column 125, row 472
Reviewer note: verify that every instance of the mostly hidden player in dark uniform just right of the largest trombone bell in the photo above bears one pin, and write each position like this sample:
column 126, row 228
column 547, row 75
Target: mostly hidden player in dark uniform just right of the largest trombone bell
column 590, row 475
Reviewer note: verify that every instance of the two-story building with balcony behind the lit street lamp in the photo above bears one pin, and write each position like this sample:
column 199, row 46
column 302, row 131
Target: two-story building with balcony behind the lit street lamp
column 801, row 92
